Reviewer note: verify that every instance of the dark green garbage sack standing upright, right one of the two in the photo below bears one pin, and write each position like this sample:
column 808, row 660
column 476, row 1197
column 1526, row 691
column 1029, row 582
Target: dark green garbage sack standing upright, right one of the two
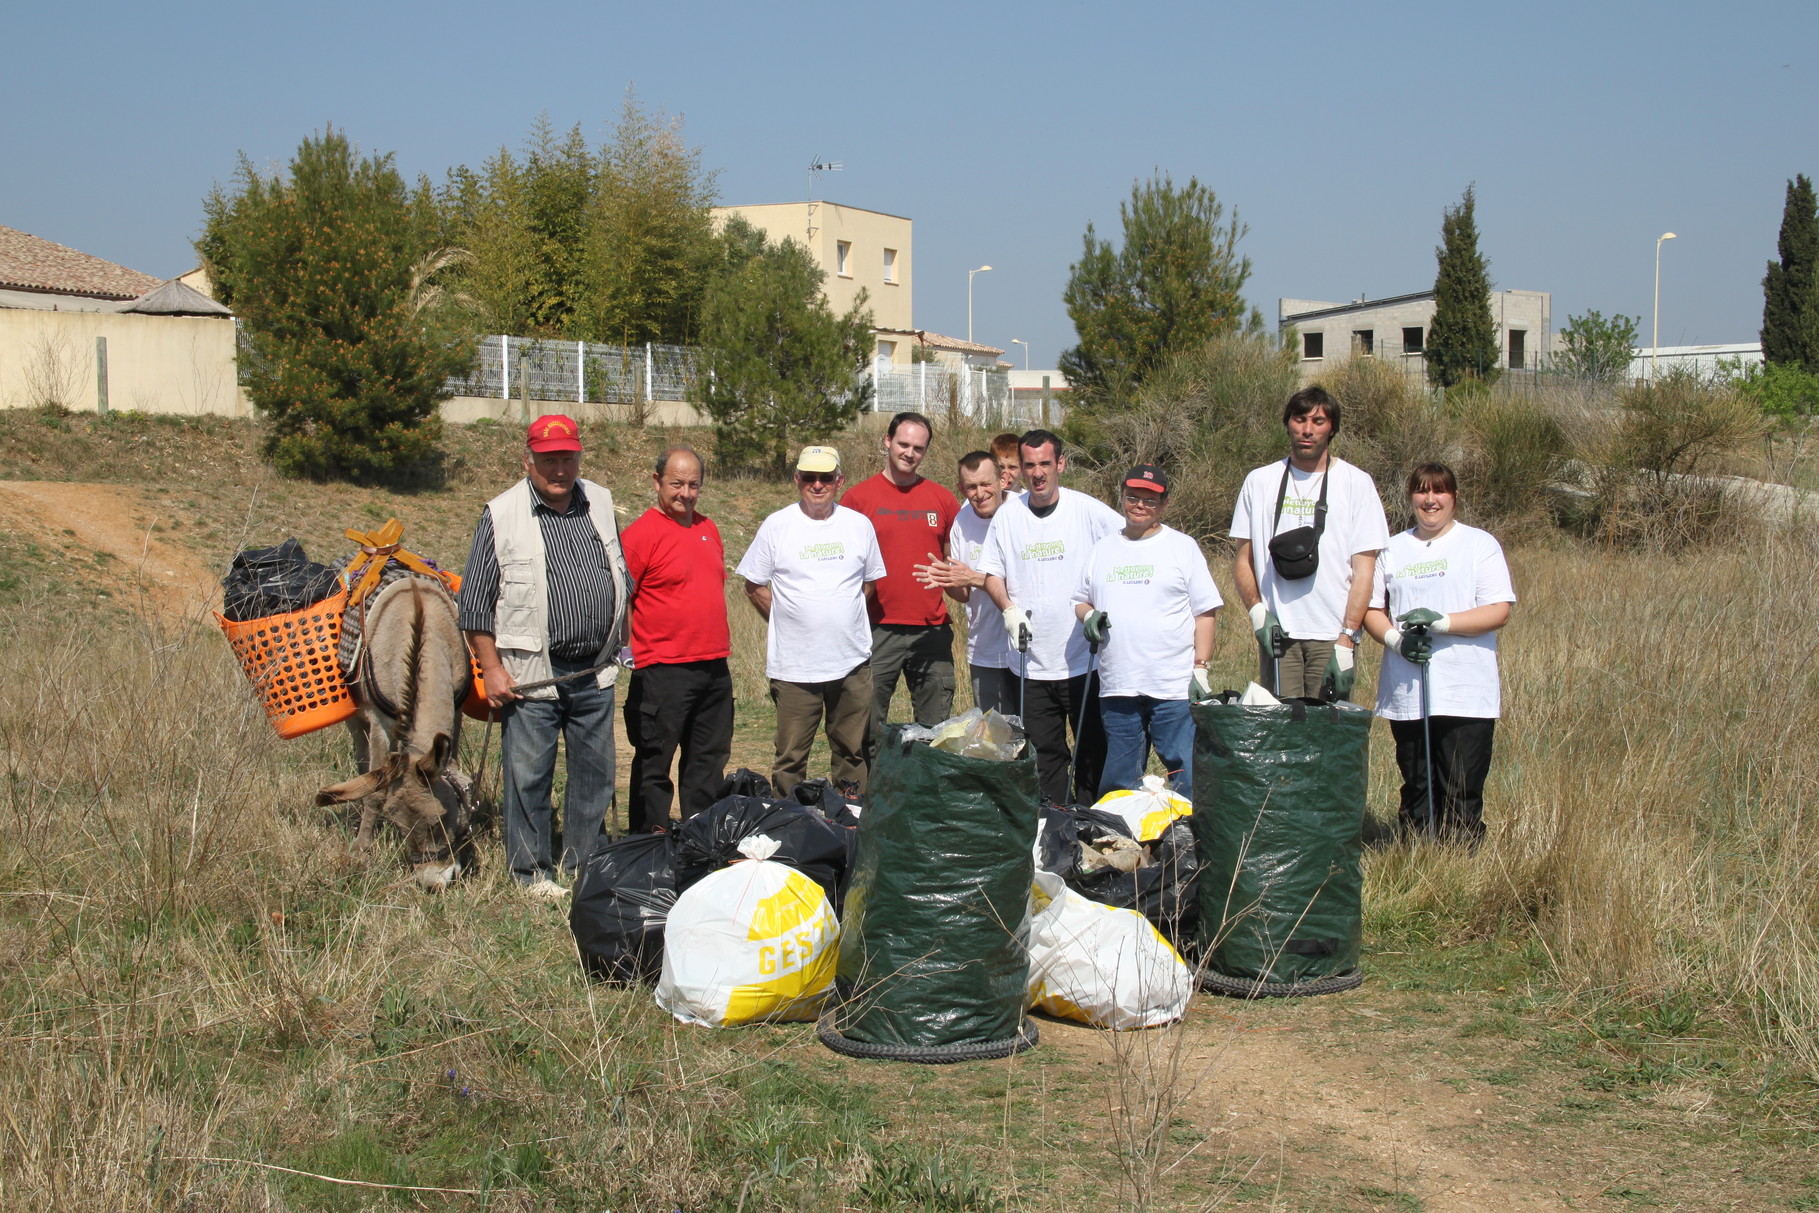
column 1280, row 819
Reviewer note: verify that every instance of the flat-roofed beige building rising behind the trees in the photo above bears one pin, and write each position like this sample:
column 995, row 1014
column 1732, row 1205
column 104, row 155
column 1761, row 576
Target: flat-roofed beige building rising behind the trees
column 859, row 252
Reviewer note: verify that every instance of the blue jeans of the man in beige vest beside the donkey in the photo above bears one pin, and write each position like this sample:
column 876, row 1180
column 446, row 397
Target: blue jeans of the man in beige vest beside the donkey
column 583, row 716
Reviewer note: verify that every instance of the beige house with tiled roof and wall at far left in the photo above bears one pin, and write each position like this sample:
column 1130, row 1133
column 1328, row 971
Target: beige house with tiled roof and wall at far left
column 92, row 336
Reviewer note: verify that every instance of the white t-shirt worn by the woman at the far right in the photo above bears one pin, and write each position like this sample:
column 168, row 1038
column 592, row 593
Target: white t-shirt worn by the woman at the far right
column 1458, row 572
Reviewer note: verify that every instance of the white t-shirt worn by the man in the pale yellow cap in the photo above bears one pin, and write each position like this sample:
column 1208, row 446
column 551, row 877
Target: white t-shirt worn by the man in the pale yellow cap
column 818, row 572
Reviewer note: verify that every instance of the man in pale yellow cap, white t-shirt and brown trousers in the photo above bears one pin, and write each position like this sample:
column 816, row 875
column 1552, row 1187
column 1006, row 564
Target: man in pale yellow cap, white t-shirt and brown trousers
column 810, row 572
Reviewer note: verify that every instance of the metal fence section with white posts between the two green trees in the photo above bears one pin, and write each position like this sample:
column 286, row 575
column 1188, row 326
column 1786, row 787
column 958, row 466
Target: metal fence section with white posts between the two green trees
column 581, row 372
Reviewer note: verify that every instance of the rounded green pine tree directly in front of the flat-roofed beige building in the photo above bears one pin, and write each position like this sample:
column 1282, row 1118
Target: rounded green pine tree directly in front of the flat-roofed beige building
column 781, row 366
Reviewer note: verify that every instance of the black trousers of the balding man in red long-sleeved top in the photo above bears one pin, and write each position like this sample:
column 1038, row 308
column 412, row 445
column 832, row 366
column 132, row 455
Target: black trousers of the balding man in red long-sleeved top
column 688, row 707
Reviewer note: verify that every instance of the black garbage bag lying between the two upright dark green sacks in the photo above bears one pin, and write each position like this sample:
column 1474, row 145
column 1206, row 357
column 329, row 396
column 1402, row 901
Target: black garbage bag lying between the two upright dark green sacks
column 1165, row 890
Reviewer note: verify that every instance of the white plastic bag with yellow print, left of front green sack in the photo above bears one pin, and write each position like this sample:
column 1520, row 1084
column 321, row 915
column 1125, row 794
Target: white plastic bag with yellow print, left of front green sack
column 750, row 943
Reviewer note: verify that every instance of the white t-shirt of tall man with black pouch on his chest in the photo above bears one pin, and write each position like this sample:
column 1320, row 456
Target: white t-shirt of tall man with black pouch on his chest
column 1312, row 608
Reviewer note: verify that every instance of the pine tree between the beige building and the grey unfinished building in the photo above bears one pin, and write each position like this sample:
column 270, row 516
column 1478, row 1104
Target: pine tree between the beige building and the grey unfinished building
column 1174, row 285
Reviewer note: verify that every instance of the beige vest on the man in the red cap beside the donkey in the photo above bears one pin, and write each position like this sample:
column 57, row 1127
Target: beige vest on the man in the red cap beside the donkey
column 521, row 616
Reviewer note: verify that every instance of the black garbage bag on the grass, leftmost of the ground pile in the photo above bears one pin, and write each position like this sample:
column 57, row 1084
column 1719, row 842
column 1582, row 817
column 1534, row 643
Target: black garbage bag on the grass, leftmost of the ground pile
column 621, row 905
